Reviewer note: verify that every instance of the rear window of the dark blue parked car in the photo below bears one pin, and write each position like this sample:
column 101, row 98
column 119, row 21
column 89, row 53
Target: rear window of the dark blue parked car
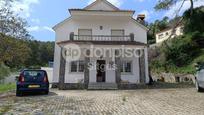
column 34, row 75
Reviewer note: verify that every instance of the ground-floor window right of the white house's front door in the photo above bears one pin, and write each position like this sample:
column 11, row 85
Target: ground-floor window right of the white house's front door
column 126, row 67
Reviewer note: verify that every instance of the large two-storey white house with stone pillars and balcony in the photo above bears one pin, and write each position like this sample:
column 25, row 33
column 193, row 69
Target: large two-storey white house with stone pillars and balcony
column 94, row 46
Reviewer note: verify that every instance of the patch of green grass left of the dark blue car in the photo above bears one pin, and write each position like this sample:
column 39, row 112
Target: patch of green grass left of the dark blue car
column 7, row 87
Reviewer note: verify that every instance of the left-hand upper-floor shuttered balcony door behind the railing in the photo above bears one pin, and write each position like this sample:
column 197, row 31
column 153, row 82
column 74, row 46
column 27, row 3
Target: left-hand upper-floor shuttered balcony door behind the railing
column 85, row 34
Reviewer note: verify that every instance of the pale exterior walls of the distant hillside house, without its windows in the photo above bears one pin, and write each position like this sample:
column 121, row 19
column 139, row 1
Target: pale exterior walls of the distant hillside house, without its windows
column 165, row 37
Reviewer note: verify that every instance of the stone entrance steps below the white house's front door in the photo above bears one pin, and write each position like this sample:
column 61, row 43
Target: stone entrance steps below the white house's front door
column 103, row 86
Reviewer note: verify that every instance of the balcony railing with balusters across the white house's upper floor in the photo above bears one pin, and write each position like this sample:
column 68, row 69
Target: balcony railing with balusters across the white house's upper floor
column 101, row 37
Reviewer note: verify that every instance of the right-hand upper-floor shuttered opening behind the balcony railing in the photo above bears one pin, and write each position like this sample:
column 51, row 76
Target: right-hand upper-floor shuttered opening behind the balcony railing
column 117, row 35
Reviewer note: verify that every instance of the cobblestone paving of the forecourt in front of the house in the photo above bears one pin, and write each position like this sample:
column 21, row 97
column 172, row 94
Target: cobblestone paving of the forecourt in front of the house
column 184, row 101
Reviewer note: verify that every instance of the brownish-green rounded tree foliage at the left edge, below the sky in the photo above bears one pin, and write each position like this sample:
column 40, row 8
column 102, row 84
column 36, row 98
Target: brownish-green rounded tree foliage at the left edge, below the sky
column 13, row 52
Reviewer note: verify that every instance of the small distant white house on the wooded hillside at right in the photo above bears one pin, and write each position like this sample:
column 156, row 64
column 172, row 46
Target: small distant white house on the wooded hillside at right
column 164, row 34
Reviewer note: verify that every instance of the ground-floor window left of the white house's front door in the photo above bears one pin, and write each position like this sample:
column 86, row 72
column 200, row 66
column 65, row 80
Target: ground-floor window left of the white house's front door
column 77, row 66
